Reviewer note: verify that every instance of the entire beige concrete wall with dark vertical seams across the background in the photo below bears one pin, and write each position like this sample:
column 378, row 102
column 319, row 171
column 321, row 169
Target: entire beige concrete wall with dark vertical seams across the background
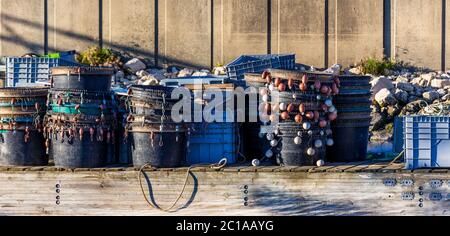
column 202, row 33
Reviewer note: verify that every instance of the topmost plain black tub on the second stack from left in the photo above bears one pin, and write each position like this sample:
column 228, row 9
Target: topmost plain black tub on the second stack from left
column 82, row 78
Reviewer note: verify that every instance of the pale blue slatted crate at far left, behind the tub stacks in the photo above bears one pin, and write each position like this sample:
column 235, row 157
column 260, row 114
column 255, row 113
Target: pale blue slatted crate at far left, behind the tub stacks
column 26, row 71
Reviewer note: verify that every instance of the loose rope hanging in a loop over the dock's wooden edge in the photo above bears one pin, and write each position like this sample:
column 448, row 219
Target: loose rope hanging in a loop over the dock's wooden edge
column 217, row 166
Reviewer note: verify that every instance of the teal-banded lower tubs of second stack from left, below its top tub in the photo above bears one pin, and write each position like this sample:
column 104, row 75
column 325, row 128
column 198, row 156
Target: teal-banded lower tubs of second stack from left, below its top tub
column 81, row 128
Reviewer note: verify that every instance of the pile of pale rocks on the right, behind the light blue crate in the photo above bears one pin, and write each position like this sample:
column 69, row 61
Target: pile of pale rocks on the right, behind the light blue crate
column 406, row 93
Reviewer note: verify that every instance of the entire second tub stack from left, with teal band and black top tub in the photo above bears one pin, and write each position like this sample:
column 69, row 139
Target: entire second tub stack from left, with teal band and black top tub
column 81, row 119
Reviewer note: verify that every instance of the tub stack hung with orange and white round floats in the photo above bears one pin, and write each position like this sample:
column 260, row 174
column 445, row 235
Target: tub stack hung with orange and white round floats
column 300, row 109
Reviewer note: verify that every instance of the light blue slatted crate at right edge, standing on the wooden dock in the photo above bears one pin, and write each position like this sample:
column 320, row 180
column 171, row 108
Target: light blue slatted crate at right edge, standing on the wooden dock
column 426, row 141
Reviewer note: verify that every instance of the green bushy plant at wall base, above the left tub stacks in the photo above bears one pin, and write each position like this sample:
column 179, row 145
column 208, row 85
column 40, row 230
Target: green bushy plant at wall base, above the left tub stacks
column 96, row 56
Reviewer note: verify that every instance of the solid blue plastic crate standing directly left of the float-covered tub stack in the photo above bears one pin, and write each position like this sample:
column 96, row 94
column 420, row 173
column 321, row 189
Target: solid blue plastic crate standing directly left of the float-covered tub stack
column 210, row 142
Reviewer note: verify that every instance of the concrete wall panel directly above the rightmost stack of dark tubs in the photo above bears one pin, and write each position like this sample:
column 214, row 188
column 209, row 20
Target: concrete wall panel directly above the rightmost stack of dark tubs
column 355, row 30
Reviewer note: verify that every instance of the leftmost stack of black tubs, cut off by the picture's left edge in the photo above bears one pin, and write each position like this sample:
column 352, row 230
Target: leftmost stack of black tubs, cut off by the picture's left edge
column 21, row 140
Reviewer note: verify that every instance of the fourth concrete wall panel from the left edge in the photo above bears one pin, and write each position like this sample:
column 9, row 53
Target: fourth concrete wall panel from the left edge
column 185, row 32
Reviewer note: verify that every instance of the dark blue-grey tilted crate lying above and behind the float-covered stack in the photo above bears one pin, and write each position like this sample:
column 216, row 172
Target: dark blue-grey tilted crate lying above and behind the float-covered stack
column 258, row 63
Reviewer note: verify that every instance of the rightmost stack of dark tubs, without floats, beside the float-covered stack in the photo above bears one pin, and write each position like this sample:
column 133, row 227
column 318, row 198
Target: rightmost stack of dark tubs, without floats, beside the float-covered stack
column 351, row 128
